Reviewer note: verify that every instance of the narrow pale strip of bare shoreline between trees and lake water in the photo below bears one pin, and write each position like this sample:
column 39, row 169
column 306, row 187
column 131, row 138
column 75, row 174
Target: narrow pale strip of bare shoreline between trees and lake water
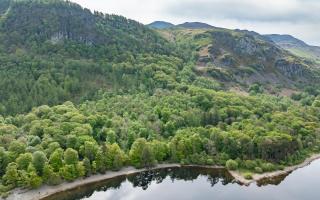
column 46, row 191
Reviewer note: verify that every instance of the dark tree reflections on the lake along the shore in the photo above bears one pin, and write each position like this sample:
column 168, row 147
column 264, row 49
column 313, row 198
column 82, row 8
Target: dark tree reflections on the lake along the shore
column 145, row 179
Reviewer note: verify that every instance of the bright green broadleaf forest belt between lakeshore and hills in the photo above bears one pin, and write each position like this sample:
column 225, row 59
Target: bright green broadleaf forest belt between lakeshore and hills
column 260, row 133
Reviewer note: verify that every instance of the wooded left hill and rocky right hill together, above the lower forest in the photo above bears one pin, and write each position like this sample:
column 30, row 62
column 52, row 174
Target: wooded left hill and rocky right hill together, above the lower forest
column 53, row 51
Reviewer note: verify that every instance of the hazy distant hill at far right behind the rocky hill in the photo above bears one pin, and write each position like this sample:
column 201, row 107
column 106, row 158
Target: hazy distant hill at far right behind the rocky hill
column 296, row 46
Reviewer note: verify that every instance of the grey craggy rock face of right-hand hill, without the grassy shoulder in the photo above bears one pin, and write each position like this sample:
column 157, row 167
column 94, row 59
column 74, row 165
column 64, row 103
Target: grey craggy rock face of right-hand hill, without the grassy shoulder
column 245, row 56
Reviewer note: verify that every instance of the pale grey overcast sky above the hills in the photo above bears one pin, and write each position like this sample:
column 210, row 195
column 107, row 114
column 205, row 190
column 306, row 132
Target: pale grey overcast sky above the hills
column 300, row 18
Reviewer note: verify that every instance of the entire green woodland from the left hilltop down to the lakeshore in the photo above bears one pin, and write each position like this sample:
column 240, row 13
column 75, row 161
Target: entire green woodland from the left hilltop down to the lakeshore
column 99, row 92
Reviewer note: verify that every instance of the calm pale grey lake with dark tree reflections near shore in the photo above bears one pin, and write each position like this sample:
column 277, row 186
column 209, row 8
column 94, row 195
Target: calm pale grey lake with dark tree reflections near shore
column 200, row 184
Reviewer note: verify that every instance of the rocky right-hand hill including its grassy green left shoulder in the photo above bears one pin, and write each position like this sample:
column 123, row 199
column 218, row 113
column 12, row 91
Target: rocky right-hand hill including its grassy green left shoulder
column 241, row 58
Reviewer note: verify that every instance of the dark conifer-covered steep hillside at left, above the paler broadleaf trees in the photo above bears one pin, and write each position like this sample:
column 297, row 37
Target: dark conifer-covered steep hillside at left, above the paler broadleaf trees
column 52, row 51
